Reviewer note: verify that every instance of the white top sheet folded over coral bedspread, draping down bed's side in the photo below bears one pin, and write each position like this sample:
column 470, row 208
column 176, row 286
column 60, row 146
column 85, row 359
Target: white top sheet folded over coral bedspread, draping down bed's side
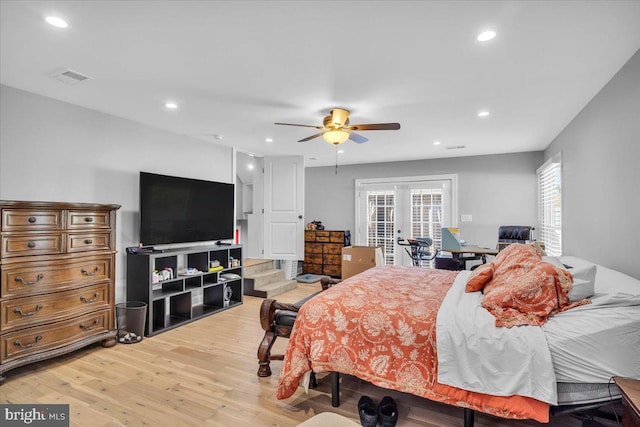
column 475, row 355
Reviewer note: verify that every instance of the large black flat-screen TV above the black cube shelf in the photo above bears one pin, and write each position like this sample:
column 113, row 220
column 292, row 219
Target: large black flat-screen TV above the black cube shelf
column 181, row 210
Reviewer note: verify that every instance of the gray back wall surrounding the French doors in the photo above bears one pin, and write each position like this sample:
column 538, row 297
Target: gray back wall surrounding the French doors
column 496, row 190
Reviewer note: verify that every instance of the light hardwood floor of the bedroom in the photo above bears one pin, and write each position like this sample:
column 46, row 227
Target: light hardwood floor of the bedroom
column 204, row 373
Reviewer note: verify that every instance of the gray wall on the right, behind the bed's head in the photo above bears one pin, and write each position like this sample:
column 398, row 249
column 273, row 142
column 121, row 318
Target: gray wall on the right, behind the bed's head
column 601, row 175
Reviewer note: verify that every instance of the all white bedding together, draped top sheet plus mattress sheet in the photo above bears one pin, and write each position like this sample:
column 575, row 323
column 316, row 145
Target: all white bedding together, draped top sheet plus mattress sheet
column 587, row 344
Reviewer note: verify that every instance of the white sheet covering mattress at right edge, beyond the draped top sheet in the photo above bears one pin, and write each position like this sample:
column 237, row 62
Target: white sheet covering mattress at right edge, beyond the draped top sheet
column 592, row 343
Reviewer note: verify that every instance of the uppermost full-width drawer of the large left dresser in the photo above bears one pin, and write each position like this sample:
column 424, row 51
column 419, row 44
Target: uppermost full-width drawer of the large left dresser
column 36, row 278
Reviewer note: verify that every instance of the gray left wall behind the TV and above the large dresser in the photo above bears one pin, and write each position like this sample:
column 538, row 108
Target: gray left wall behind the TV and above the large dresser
column 54, row 151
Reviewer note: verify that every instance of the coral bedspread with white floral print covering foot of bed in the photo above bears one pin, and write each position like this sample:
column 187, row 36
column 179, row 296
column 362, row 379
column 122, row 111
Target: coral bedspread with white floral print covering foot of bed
column 380, row 326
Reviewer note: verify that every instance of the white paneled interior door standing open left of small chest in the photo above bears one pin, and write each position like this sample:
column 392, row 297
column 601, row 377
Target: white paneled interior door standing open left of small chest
column 284, row 207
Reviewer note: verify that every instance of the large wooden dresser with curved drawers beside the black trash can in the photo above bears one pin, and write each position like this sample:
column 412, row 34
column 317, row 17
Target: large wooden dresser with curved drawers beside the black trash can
column 57, row 268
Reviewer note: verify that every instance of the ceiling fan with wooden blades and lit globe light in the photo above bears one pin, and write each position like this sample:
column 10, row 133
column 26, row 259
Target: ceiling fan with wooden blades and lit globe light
column 336, row 129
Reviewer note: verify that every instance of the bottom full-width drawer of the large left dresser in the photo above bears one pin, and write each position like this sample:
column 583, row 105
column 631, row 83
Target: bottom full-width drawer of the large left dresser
column 38, row 339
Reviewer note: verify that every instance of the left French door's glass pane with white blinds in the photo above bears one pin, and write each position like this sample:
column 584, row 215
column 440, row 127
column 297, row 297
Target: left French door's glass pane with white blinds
column 380, row 222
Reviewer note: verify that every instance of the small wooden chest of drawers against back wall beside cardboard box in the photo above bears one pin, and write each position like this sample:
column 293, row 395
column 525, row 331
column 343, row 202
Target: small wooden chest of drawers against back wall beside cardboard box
column 323, row 251
